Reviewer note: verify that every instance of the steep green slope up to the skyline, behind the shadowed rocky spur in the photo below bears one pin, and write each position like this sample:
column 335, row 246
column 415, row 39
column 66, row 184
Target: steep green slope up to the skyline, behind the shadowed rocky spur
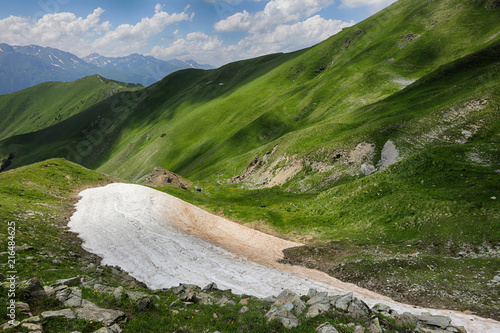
column 199, row 123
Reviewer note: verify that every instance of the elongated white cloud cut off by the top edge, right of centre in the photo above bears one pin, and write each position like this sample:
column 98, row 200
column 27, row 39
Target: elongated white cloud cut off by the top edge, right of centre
column 275, row 13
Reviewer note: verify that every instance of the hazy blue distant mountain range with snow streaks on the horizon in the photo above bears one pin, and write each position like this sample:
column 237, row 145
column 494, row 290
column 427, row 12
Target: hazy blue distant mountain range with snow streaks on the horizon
column 24, row 66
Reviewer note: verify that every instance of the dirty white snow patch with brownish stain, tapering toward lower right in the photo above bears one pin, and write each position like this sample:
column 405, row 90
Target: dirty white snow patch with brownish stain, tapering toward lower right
column 164, row 241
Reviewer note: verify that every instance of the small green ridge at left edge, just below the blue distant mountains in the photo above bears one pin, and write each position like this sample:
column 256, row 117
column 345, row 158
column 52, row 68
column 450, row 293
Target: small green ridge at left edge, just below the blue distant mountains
column 49, row 103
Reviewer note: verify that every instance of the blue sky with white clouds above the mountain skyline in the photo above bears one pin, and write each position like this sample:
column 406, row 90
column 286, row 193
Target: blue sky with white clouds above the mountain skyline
column 209, row 31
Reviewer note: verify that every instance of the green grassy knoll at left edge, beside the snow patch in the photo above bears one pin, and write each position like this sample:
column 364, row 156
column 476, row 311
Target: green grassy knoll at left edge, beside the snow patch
column 38, row 199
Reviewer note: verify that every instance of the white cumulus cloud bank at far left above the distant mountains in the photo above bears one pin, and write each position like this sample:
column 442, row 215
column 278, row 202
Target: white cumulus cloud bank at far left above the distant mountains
column 79, row 35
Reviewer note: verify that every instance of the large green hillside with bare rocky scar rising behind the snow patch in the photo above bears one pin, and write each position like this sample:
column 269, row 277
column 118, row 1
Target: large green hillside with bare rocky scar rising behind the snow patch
column 420, row 77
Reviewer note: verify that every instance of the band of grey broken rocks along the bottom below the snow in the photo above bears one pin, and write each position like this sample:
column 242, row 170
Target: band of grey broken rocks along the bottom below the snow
column 288, row 309
